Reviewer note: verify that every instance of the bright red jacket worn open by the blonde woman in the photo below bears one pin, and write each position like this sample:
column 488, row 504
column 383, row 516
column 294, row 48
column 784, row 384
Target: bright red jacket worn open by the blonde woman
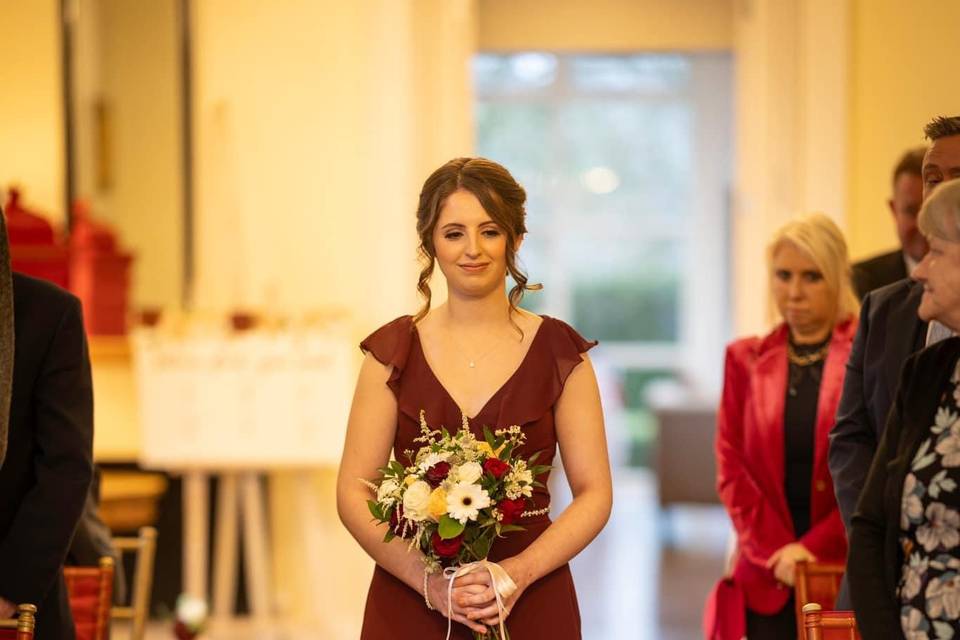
column 750, row 467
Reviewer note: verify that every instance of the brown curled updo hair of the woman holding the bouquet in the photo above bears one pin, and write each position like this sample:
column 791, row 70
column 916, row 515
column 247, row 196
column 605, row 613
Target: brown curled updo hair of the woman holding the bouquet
column 500, row 196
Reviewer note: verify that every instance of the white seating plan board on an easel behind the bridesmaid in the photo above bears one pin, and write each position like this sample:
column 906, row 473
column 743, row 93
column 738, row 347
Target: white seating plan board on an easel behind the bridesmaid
column 249, row 400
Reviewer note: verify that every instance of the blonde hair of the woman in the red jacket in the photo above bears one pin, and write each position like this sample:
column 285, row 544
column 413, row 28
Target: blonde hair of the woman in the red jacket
column 821, row 240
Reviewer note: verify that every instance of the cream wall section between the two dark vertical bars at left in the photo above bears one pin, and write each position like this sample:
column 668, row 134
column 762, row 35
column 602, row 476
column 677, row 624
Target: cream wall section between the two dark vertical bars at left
column 139, row 68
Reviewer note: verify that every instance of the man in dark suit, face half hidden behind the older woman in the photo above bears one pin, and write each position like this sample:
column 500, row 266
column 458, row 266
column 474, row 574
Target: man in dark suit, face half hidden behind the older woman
column 889, row 332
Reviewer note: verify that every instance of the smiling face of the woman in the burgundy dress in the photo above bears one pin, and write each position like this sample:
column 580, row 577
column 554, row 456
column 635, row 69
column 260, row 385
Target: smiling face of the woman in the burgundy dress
column 471, row 248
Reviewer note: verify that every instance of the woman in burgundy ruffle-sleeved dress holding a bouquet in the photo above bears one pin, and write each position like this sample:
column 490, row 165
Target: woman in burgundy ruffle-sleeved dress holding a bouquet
column 481, row 356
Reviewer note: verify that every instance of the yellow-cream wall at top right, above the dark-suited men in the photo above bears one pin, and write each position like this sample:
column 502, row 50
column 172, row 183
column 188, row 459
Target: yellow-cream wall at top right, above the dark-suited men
column 903, row 73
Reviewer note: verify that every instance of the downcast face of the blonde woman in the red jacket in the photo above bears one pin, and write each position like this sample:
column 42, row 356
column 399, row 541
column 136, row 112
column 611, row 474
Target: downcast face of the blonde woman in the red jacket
column 801, row 293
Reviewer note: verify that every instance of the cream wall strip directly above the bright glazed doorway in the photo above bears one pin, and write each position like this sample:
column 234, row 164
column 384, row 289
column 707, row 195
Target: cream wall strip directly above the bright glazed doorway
column 605, row 25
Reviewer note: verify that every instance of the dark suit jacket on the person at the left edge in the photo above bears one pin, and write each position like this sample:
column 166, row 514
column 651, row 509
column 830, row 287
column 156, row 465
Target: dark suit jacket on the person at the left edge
column 48, row 468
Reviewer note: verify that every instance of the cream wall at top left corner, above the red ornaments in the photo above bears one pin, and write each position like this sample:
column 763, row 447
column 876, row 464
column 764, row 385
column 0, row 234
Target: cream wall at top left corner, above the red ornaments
column 31, row 113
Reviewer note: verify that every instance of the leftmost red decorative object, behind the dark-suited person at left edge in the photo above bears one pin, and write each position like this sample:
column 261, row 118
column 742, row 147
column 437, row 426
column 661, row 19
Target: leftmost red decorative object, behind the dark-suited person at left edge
column 35, row 249
